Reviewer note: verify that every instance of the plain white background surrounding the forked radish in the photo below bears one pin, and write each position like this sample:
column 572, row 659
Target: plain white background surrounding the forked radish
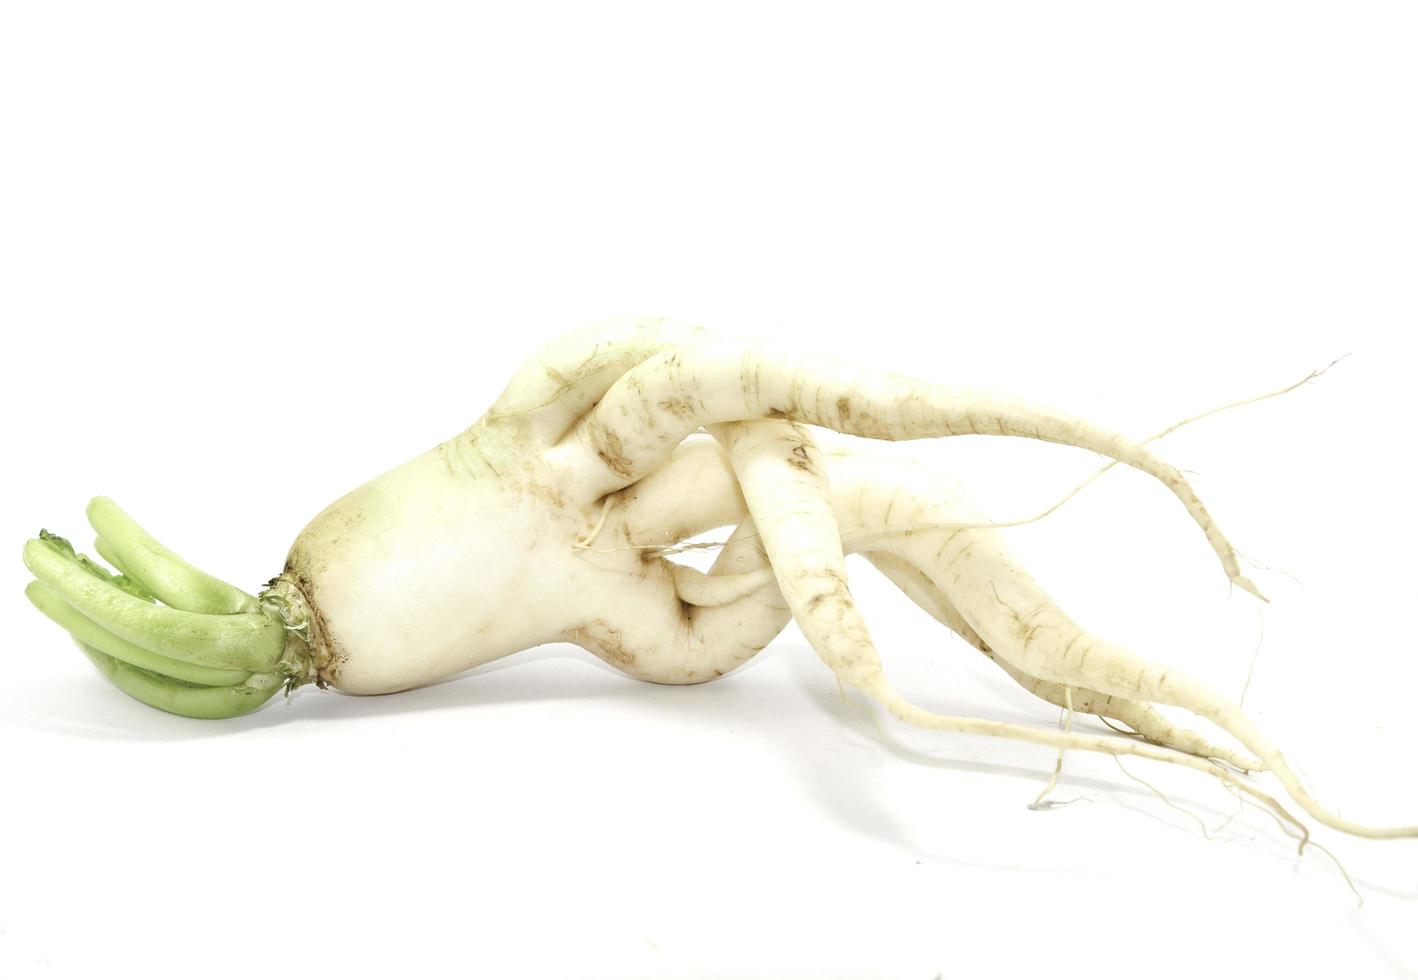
column 253, row 256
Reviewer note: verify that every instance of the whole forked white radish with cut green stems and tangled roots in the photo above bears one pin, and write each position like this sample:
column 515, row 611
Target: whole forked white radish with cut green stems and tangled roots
column 551, row 520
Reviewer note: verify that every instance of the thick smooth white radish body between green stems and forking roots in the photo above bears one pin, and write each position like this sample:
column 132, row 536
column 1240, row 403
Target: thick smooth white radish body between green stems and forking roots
column 454, row 559
